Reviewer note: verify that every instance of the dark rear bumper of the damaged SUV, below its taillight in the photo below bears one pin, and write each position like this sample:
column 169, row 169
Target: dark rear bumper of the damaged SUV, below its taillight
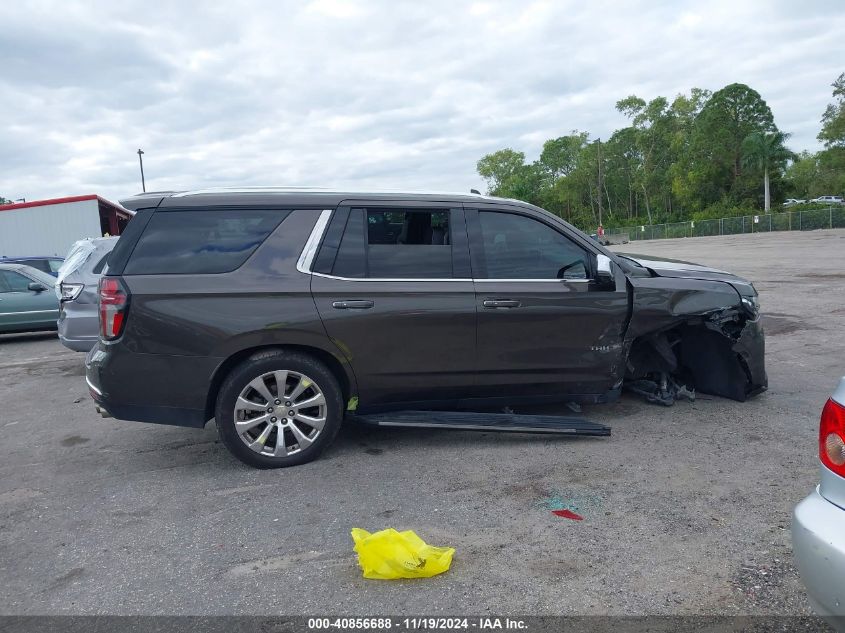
column 161, row 389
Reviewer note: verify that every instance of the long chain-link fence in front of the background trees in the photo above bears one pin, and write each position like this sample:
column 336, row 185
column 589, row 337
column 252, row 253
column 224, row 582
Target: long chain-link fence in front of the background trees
column 832, row 217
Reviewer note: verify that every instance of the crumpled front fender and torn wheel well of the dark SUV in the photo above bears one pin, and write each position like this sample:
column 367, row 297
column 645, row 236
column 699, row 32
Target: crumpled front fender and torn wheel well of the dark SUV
column 690, row 335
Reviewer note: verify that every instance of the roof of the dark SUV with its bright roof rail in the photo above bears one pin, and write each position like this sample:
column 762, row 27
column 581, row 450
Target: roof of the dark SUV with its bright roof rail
column 304, row 196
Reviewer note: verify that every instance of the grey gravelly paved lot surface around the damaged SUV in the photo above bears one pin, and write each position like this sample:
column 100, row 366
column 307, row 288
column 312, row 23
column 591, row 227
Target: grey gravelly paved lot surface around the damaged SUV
column 686, row 509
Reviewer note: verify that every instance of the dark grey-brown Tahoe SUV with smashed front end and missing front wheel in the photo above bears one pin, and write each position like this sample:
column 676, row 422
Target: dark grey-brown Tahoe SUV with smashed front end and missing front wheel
column 275, row 311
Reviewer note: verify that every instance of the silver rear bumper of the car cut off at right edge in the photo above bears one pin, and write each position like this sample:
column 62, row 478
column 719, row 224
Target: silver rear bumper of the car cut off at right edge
column 818, row 541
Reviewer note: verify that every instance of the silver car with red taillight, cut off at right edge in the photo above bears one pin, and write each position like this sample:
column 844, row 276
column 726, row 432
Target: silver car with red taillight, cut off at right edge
column 818, row 524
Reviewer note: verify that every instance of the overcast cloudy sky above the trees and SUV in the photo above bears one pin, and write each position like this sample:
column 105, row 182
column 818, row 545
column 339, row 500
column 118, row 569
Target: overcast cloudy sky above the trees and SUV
column 379, row 94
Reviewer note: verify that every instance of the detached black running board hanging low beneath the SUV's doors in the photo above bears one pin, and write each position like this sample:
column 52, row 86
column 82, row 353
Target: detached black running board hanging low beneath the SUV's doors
column 500, row 422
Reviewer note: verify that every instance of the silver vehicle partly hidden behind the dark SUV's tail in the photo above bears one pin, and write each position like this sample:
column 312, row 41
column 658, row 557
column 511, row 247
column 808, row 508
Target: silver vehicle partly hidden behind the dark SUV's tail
column 77, row 290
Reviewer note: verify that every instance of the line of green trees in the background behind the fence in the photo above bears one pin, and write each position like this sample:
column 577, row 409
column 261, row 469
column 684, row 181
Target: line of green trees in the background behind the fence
column 702, row 155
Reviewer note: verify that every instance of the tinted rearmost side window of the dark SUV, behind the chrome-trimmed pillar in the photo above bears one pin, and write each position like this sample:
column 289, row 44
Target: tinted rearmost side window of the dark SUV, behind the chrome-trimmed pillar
column 198, row 242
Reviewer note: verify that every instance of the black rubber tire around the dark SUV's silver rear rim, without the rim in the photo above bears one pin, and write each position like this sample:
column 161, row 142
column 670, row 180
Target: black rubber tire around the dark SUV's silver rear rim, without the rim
column 263, row 363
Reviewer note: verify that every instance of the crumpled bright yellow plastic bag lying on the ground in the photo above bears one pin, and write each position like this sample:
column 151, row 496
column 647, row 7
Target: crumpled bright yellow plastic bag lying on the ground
column 389, row 554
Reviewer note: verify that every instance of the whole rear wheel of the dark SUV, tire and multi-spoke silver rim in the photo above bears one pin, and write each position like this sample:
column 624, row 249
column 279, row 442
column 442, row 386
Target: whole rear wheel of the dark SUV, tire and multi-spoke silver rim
column 278, row 409
